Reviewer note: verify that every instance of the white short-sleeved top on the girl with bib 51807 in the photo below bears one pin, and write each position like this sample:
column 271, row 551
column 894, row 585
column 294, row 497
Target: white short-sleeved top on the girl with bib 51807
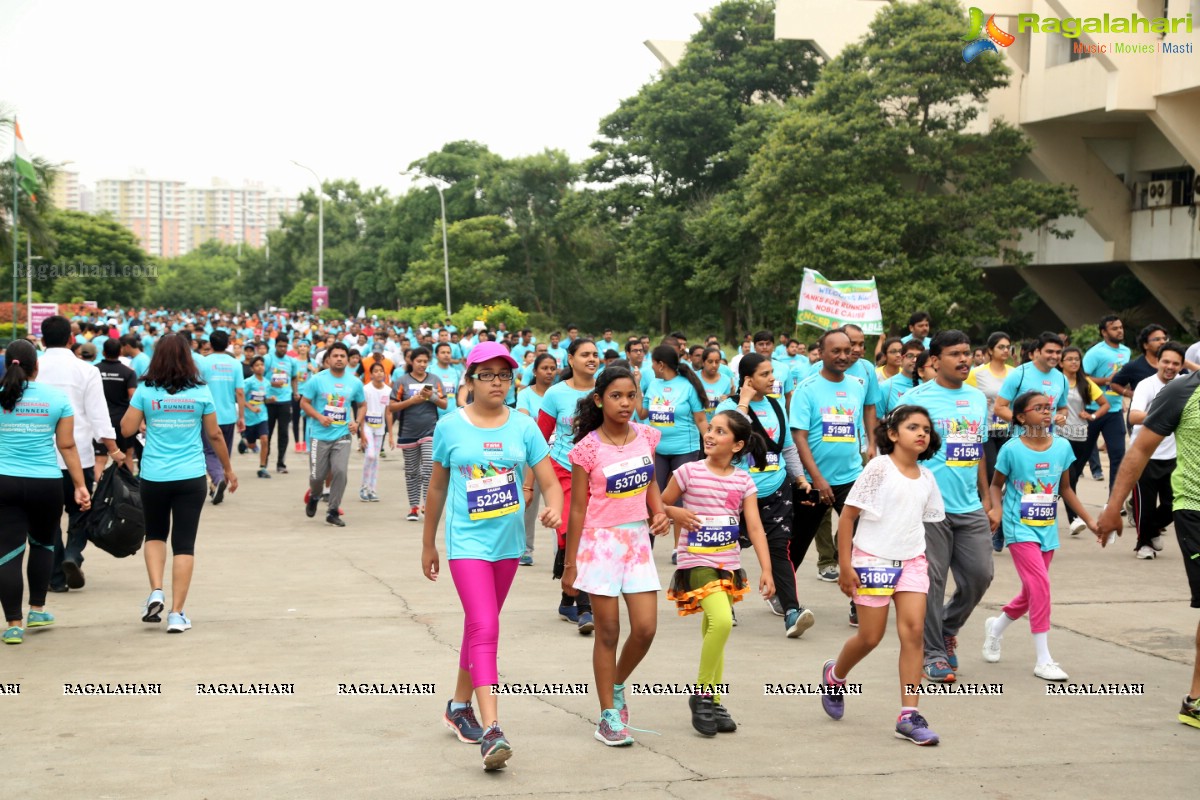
column 895, row 510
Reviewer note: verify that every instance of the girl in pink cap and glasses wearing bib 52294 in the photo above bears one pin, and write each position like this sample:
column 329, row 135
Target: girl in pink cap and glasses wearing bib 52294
column 481, row 456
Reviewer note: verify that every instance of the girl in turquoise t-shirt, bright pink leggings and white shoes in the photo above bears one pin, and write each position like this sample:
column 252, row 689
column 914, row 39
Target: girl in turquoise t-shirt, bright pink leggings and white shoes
column 1033, row 472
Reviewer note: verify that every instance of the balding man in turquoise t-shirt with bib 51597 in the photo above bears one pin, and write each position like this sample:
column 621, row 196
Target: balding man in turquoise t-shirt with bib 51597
column 826, row 417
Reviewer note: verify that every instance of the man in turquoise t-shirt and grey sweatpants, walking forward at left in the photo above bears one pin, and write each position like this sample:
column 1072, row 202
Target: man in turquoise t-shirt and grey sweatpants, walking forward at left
column 335, row 401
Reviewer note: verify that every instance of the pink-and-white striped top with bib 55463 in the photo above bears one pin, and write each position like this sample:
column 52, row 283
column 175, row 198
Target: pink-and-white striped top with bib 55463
column 717, row 501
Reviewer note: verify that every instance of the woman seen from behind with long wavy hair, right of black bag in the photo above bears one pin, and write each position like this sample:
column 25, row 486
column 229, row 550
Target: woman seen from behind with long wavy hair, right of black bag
column 178, row 408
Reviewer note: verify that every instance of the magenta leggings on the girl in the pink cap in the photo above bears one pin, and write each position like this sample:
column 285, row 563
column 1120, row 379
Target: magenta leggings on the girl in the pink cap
column 483, row 587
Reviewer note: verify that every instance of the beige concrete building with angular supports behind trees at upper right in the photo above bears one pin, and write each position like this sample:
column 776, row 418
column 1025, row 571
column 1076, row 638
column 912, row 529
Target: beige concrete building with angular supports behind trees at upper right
column 1123, row 125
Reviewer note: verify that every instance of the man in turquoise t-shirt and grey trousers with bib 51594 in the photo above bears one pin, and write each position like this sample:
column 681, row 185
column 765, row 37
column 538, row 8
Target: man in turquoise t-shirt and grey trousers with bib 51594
column 962, row 543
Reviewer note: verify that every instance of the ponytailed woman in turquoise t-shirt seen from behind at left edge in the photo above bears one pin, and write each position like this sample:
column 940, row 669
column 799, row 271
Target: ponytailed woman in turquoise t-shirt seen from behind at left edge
column 37, row 419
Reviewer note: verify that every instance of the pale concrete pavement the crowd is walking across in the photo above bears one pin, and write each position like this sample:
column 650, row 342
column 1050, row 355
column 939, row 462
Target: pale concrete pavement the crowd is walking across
column 281, row 599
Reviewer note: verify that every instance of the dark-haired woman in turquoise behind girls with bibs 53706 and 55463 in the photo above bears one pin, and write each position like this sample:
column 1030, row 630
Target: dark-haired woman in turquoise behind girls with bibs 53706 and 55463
column 675, row 406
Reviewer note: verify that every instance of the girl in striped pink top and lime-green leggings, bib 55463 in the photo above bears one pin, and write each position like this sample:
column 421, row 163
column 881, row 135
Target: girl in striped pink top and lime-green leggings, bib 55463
column 711, row 580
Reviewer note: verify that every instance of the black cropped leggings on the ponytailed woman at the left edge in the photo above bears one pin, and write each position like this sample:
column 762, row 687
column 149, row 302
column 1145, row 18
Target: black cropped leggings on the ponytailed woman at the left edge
column 31, row 509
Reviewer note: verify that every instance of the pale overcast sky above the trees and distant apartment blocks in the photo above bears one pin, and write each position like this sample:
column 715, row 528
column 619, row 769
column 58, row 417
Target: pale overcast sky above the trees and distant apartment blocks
column 237, row 91
